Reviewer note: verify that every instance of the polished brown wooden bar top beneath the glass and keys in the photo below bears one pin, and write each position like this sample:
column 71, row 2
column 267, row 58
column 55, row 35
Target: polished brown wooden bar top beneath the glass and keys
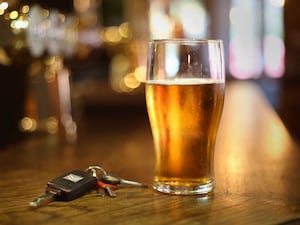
column 256, row 167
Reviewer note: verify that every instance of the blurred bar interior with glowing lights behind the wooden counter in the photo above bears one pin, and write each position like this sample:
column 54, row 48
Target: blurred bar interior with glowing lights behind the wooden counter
column 63, row 61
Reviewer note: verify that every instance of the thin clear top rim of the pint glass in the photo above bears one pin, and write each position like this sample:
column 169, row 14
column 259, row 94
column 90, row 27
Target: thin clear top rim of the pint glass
column 186, row 40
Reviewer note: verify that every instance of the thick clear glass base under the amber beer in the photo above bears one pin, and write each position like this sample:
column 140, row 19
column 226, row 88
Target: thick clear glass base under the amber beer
column 167, row 188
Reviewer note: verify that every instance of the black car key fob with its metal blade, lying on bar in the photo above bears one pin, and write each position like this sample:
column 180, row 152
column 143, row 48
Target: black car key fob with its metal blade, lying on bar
column 66, row 188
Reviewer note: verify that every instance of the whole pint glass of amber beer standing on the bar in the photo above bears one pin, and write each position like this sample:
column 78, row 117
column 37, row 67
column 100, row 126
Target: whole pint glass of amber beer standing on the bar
column 185, row 88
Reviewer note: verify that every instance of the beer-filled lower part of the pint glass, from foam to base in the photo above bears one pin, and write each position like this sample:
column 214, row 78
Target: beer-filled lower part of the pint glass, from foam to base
column 184, row 115
